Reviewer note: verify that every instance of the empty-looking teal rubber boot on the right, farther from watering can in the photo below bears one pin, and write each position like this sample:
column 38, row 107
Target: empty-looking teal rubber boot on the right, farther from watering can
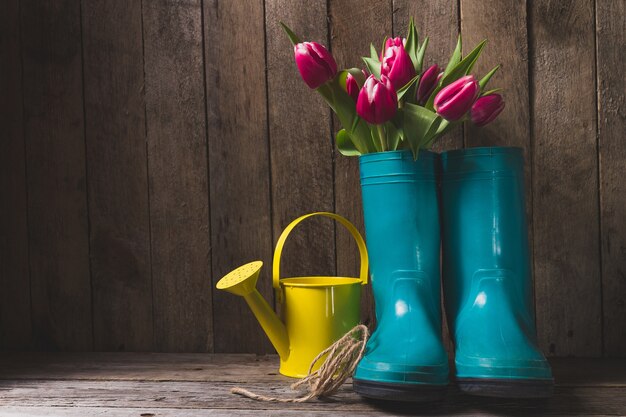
column 486, row 275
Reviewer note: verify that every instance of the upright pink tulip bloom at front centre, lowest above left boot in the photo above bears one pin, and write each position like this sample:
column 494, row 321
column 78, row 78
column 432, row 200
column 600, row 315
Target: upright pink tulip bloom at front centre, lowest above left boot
column 377, row 102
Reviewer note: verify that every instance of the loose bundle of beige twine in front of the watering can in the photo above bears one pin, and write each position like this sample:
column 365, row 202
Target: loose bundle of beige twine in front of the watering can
column 343, row 356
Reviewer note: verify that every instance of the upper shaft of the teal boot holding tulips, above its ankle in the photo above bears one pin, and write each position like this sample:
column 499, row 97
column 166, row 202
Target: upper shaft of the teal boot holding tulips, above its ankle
column 401, row 212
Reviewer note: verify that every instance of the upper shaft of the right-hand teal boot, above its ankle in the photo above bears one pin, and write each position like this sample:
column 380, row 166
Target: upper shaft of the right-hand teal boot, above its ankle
column 484, row 227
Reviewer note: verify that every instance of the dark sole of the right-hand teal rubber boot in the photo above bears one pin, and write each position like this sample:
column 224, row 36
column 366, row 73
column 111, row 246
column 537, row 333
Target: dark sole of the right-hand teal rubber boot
column 507, row 388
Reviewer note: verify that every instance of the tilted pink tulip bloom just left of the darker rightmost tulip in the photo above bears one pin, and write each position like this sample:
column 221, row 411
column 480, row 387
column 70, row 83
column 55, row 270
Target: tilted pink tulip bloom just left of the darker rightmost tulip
column 453, row 101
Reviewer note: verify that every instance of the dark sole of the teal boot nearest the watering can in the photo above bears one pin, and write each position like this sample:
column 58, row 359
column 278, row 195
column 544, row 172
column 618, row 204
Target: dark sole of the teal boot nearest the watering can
column 399, row 392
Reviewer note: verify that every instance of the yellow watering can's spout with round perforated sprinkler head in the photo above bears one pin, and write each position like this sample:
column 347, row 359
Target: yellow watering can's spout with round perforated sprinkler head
column 242, row 282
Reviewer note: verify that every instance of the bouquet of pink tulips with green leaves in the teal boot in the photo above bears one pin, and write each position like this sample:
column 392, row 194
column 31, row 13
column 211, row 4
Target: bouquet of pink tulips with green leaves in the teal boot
column 393, row 104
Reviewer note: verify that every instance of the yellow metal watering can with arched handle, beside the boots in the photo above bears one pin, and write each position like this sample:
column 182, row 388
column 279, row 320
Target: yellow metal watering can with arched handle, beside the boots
column 318, row 310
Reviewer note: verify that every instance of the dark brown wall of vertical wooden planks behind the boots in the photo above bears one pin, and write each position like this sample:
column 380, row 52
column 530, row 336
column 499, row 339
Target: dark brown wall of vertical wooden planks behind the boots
column 147, row 148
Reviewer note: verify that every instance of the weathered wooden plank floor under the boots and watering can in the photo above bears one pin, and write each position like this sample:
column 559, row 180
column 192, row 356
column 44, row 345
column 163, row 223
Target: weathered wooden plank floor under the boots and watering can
column 150, row 384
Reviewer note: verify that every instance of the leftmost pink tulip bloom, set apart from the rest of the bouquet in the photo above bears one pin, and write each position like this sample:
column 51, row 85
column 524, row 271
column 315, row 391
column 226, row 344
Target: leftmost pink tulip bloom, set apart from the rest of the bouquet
column 316, row 65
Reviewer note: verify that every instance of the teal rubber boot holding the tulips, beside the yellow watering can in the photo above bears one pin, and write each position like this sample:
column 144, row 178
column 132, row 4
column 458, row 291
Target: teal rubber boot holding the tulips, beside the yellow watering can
column 404, row 359
